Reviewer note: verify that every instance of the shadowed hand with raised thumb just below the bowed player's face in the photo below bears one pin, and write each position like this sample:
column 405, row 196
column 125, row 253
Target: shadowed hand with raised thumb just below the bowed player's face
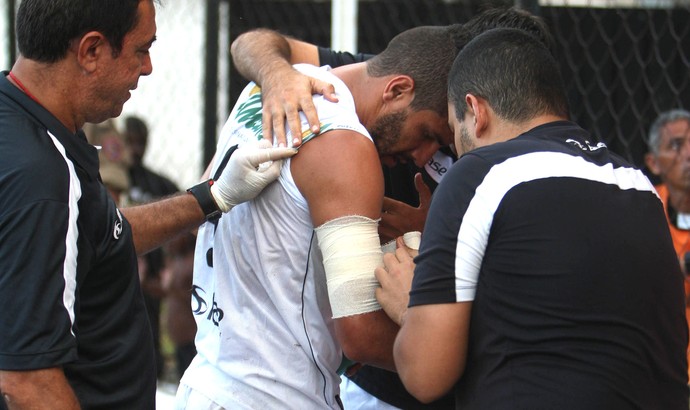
column 398, row 218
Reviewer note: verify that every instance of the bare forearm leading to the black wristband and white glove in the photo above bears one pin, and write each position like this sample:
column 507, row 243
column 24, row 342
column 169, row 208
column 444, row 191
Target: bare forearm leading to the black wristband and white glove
column 155, row 223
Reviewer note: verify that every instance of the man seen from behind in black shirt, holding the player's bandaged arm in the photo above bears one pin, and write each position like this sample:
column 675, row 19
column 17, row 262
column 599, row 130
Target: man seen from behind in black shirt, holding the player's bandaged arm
column 546, row 275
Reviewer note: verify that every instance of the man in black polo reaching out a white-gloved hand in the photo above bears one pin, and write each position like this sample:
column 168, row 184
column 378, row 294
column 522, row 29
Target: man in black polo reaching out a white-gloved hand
column 73, row 327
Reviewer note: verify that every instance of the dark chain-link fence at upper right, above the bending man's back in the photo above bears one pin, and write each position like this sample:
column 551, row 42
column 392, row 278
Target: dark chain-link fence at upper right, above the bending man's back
column 624, row 64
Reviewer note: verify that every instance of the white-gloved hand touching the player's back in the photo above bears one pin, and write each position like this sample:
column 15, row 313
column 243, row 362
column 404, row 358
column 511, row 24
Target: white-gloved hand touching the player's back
column 248, row 172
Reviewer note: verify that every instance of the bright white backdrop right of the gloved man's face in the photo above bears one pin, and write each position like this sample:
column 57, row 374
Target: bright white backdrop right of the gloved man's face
column 170, row 100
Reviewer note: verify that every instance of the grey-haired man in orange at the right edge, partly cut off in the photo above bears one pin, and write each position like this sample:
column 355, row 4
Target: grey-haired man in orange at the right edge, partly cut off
column 669, row 159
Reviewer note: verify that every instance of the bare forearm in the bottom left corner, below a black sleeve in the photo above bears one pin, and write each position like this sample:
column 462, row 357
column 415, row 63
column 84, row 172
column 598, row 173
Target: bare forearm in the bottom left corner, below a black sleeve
column 37, row 389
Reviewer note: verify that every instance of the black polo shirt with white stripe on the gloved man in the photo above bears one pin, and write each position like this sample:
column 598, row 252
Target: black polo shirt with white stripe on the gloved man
column 69, row 286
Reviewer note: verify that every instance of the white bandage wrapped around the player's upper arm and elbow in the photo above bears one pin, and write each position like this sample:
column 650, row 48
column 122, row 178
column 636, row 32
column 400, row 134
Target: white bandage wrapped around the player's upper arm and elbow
column 351, row 252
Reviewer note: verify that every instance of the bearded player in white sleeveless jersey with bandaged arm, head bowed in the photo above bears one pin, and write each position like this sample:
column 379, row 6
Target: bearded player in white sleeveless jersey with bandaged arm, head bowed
column 284, row 284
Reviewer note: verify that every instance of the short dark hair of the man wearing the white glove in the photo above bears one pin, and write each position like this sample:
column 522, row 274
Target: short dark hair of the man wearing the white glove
column 45, row 28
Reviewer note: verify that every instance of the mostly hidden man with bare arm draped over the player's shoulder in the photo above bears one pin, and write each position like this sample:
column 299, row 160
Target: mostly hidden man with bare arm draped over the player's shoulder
column 266, row 56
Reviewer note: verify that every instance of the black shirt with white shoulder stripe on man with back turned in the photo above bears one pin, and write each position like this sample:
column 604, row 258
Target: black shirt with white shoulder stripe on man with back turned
column 577, row 296
